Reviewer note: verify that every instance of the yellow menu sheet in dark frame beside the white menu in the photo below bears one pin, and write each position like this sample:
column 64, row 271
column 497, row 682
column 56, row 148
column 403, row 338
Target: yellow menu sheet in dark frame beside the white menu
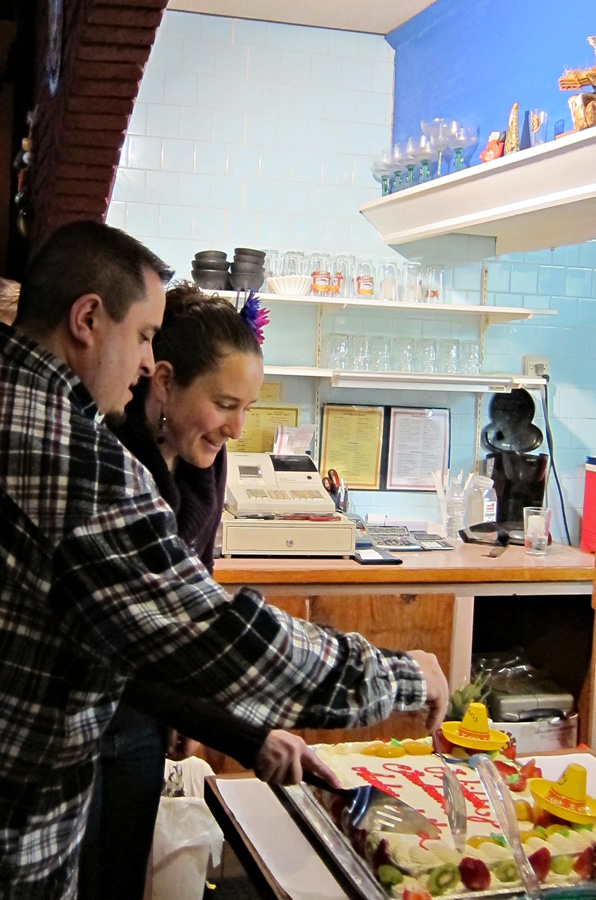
column 351, row 443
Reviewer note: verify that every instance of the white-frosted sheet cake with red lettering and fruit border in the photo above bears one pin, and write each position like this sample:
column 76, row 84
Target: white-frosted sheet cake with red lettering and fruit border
column 413, row 866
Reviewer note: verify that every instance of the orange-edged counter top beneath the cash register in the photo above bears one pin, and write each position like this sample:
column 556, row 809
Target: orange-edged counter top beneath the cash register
column 467, row 563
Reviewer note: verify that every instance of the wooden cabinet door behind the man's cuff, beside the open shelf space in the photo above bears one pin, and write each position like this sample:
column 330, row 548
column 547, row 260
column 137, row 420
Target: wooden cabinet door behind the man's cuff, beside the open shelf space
column 395, row 622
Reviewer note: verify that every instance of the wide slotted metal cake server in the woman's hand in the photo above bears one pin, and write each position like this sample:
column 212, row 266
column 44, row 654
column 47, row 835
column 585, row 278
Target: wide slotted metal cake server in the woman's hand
column 371, row 808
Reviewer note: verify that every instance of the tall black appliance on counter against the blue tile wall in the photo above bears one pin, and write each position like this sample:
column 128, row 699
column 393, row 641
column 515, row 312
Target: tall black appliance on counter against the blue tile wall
column 519, row 476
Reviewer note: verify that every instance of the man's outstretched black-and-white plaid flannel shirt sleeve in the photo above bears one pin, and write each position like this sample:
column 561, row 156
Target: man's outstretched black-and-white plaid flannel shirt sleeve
column 126, row 591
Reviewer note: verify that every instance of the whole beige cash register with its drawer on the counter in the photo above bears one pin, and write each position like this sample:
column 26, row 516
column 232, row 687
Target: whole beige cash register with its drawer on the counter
column 277, row 505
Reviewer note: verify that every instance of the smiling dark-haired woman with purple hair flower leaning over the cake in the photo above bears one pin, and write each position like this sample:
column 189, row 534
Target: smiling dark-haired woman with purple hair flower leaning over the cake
column 208, row 372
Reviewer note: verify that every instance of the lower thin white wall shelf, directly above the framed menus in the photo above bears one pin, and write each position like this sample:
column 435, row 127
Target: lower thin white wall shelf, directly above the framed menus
column 413, row 381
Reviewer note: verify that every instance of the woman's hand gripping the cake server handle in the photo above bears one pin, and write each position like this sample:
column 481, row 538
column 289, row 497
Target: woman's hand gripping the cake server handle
column 284, row 756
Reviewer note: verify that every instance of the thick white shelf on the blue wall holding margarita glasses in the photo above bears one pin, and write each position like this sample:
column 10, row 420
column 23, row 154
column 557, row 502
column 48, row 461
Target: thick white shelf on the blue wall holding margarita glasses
column 541, row 197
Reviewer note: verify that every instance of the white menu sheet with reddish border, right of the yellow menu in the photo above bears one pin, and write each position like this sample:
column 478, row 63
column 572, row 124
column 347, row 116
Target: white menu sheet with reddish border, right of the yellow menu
column 419, row 442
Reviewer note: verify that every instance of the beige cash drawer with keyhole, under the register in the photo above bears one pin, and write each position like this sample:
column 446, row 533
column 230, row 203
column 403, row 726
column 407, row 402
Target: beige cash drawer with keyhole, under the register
column 243, row 537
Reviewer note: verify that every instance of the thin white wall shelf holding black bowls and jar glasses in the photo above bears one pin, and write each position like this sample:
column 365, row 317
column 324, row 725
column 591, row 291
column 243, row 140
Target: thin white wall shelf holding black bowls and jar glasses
column 493, row 314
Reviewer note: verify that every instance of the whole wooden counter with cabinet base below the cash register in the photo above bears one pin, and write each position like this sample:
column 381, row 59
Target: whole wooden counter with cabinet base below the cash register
column 426, row 603
